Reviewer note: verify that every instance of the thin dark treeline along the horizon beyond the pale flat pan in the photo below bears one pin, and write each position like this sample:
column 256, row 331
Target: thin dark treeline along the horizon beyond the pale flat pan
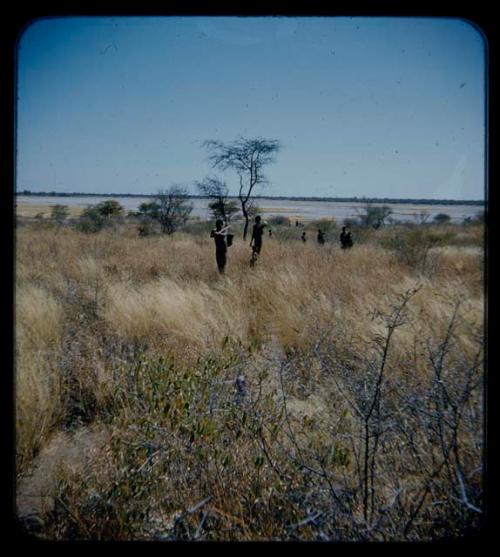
column 286, row 198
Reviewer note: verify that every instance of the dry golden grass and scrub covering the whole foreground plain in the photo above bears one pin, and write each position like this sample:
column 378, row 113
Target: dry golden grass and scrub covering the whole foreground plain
column 320, row 395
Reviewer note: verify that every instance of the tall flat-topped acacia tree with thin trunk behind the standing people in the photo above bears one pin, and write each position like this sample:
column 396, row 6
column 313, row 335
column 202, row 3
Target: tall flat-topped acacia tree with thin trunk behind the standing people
column 248, row 158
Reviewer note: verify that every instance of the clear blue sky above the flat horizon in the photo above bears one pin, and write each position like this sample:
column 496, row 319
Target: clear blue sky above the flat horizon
column 376, row 107
